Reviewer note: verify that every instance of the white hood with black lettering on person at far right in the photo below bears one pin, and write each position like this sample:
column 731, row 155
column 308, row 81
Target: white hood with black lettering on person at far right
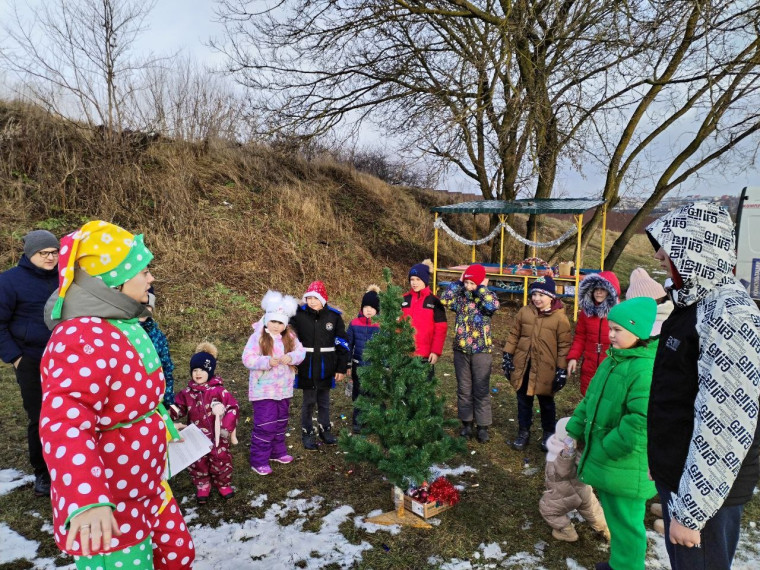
column 699, row 239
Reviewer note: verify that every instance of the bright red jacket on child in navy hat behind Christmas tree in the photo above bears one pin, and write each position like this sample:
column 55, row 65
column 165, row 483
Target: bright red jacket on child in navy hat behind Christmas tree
column 428, row 319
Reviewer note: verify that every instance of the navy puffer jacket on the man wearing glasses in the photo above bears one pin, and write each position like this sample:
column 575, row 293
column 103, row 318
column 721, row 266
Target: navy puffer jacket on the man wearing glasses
column 23, row 292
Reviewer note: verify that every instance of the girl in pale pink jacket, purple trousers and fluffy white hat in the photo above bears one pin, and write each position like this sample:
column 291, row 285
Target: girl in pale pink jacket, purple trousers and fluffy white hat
column 271, row 354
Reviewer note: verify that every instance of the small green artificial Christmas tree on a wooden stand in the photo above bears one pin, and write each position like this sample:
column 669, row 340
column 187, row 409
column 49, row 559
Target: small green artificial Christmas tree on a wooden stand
column 401, row 416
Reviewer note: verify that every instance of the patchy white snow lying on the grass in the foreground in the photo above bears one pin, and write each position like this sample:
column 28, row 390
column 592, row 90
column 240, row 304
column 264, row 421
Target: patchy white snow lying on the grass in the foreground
column 313, row 540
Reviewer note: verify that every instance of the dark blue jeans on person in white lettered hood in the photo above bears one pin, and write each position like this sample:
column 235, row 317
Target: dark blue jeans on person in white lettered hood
column 719, row 538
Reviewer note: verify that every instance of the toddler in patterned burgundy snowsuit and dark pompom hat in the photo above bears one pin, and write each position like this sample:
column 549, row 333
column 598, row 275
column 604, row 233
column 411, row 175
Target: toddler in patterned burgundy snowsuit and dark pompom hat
column 205, row 392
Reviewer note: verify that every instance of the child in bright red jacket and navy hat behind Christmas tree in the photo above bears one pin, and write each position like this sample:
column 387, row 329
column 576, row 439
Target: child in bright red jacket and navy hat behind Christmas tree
column 426, row 312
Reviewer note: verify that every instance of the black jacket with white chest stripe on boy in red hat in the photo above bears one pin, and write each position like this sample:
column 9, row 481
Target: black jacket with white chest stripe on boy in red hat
column 323, row 335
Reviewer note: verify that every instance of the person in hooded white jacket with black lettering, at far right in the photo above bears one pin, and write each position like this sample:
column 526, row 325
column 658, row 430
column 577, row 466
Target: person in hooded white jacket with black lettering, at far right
column 703, row 408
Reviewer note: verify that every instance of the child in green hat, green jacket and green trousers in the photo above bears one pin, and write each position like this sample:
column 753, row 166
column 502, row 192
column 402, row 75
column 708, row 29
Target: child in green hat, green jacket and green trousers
column 611, row 420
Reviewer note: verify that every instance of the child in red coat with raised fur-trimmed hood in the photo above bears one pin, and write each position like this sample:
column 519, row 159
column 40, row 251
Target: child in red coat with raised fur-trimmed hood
column 598, row 293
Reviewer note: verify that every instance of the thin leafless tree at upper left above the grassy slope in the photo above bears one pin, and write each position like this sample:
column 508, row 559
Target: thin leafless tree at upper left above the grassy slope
column 76, row 58
